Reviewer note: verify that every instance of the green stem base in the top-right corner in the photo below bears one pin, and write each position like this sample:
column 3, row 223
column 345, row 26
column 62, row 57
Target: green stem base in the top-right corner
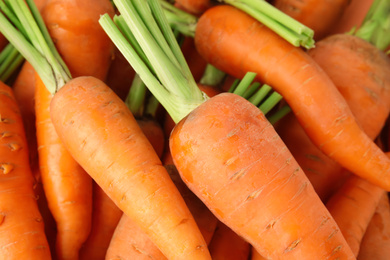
column 376, row 25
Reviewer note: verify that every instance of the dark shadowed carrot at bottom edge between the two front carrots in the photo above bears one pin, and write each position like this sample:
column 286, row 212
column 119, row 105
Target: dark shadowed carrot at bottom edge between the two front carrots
column 226, row 245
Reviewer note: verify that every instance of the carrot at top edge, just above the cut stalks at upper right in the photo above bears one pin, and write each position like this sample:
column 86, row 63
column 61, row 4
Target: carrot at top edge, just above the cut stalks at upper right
column 320, row 16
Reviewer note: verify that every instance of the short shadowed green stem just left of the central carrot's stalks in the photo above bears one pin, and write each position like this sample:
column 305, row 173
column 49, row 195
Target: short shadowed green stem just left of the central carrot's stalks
column 136, row 97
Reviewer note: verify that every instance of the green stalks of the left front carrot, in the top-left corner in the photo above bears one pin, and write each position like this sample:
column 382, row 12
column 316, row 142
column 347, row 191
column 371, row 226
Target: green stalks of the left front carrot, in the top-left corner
column 23, row 26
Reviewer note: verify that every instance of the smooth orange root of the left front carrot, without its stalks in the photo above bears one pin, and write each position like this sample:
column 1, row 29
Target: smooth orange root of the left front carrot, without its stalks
column 103, row 136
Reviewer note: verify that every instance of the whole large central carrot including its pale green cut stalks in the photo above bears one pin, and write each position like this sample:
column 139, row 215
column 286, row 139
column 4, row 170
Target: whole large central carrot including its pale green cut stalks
column 226, row 151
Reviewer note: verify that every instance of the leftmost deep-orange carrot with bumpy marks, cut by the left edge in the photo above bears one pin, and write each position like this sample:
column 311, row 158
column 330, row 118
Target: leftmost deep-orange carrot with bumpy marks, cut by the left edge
column 22, row 228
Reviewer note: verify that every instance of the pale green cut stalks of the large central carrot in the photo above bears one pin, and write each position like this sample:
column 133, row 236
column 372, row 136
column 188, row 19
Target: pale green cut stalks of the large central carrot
column 172, row 83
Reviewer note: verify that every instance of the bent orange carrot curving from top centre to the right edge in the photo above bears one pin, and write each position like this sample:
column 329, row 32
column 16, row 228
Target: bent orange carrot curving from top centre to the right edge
column 297, row 77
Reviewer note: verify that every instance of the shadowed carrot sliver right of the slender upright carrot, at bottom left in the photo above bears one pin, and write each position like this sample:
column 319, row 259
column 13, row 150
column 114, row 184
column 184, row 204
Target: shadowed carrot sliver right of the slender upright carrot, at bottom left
column 105, row 218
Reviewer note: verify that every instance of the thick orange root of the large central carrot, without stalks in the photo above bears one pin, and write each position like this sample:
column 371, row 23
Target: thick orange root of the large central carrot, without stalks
column 230, row 156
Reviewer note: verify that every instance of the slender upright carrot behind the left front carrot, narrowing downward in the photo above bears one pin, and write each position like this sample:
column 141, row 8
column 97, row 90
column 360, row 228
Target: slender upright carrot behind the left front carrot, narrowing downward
column 67, row 186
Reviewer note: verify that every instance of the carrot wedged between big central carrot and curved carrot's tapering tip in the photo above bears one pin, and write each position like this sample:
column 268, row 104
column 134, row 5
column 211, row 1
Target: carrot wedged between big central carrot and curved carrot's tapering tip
column 352, row 207
